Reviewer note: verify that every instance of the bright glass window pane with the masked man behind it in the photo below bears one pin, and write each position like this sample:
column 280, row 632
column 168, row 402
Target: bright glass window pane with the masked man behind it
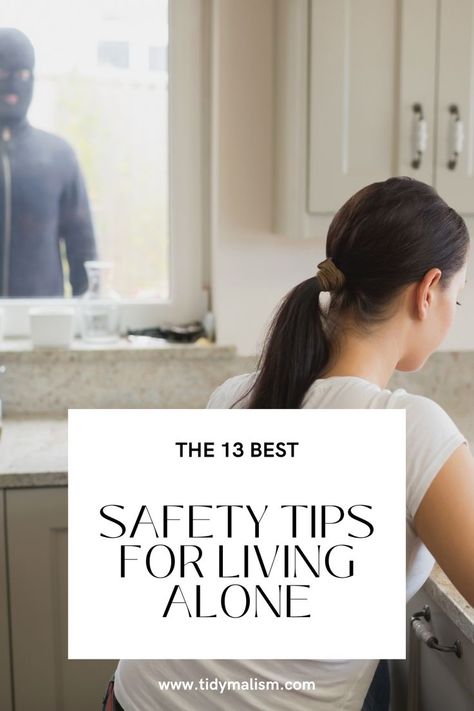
column 100, row 83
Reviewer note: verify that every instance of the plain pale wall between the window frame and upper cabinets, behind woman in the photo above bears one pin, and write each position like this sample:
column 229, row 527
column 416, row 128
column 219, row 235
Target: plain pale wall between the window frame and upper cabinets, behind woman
column 252, row 267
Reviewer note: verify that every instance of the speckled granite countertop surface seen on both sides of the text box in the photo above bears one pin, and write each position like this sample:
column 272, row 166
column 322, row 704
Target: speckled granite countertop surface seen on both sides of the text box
column 33, row 452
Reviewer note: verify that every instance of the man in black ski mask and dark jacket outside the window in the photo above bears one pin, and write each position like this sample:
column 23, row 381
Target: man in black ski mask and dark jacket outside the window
column 43, row 198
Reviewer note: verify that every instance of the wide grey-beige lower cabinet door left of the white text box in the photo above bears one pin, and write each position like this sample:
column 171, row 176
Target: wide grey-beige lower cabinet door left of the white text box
column 37, row 544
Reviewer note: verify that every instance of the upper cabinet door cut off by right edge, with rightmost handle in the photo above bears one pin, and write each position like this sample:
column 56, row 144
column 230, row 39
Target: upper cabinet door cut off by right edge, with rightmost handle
column 456, row 88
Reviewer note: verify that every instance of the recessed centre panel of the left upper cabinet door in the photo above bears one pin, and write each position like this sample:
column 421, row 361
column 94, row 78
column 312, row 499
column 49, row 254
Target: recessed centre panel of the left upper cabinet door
column 353, row 102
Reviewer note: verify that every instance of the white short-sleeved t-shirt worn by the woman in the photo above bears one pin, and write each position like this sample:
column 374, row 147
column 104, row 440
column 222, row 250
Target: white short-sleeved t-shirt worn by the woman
column 341, row 685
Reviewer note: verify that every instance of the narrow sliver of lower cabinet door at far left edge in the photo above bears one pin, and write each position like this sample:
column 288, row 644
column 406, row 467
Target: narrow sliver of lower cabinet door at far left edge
column 5, row 671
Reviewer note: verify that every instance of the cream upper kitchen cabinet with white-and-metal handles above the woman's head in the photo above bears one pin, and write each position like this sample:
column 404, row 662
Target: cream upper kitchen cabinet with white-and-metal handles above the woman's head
column 365, row 90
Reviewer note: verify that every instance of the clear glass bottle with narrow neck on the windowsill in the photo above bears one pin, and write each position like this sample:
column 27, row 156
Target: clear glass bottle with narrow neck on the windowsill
column 100, row 305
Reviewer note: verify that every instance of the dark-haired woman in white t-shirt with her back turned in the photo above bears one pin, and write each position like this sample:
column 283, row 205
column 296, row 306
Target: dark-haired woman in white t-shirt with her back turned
column 395, row 267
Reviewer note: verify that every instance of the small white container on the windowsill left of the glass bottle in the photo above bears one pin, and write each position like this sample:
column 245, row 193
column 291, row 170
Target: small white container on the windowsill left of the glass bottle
column 51, row 327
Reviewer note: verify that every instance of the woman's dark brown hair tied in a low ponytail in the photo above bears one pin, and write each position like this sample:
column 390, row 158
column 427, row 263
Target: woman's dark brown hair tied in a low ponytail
column 386, row 236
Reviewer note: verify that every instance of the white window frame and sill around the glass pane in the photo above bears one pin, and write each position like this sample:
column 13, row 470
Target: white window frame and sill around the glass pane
column 189, row 186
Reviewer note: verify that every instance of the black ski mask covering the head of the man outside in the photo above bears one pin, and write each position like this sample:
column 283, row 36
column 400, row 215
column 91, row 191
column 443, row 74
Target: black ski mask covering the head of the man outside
column 17, row 59
